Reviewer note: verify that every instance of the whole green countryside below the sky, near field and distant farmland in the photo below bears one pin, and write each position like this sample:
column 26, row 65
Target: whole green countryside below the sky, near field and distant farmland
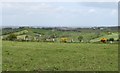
column 31, row 49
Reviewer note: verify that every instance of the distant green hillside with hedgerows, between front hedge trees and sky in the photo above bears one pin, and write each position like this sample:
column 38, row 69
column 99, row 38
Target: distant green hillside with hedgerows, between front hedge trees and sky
column 92, row 34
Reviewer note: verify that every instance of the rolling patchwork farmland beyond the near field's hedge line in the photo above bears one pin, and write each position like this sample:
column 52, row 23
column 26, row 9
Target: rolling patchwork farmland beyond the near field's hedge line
column 89, row 34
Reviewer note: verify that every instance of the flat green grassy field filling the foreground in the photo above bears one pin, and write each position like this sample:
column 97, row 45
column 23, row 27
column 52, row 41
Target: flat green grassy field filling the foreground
column 29, row 56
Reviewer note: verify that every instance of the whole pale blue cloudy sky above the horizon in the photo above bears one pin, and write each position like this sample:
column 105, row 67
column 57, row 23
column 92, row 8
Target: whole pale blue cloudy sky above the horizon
column 59, row 14
